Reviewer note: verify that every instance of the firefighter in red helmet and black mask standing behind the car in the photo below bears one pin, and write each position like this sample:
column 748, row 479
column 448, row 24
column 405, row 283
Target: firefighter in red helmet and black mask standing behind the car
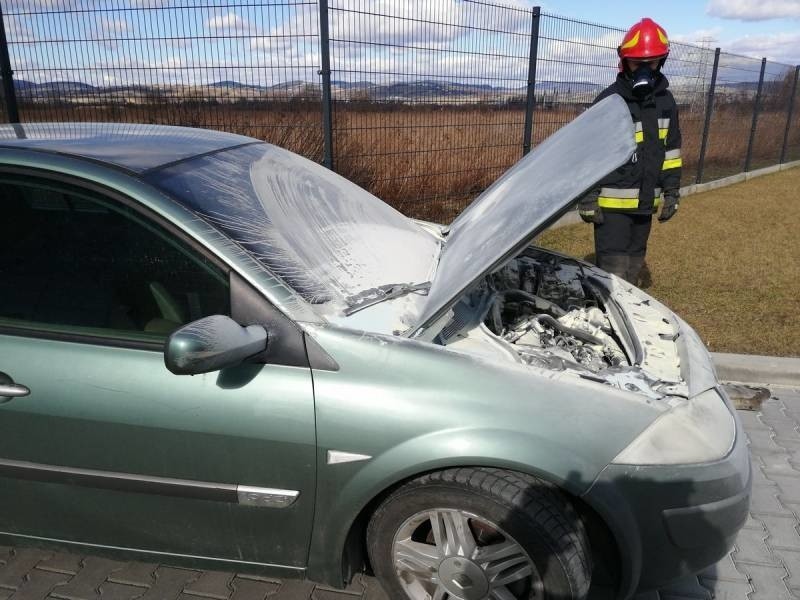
column 623, row 203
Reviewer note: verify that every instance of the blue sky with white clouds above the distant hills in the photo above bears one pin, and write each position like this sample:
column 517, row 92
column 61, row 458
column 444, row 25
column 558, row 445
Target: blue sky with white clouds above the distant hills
column 117, row 42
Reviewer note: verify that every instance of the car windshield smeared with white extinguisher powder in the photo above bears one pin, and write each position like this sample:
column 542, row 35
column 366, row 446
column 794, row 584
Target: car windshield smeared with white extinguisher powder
column 327, row 238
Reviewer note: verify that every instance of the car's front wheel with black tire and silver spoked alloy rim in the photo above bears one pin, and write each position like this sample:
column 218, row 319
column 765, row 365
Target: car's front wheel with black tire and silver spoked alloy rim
column 474, row 533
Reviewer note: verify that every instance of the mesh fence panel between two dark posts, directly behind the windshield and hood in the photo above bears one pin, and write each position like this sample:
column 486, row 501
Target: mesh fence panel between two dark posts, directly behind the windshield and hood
column 428, row 98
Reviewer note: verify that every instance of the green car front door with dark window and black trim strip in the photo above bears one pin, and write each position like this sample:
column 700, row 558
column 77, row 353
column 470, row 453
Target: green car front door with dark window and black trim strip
column 110, row 448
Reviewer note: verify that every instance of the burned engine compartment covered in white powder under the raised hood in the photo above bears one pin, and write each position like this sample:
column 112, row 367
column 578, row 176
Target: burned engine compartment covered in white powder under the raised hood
column 558, row 314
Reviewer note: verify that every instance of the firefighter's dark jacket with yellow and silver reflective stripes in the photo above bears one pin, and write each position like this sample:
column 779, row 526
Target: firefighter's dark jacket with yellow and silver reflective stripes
column 655, row 166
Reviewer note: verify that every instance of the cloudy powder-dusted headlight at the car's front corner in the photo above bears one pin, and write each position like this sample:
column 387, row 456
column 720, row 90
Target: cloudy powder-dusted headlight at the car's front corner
column 700, row 430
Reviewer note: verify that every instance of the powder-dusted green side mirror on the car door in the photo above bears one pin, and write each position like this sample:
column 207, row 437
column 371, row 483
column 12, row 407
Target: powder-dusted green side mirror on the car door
column 211, row 344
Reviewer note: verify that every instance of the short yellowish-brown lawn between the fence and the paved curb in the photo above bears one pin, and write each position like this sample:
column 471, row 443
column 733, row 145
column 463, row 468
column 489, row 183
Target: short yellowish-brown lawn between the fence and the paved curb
column 728, row 263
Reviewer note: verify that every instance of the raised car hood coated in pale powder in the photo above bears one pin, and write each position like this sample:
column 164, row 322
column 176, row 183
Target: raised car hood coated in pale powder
column 527, row 199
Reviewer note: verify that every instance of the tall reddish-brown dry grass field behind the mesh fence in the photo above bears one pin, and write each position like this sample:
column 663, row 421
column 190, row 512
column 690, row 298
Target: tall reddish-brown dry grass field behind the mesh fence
column 429, row 161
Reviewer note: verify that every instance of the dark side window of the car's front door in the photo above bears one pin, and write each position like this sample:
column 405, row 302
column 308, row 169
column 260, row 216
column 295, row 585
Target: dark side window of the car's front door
column 75, row 262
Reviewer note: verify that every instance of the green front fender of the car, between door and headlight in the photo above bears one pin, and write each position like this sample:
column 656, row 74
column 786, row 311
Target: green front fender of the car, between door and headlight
column 411, row 407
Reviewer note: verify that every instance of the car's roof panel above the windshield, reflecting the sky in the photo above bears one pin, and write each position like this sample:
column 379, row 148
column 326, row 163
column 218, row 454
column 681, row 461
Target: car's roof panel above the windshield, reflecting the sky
column 130, row 146
